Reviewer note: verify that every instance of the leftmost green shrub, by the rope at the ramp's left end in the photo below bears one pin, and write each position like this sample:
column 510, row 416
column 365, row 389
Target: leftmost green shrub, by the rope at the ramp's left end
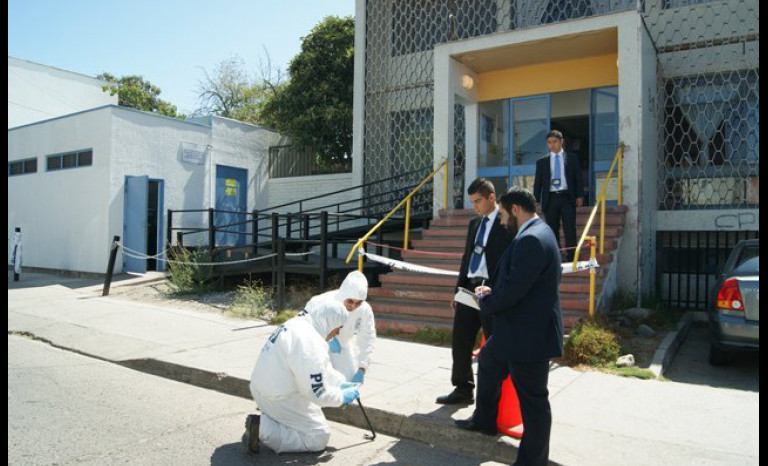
column 187, row 275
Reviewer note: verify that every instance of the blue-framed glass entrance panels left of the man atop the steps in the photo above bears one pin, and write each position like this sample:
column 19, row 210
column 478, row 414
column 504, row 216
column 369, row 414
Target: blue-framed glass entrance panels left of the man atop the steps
column 528, row 120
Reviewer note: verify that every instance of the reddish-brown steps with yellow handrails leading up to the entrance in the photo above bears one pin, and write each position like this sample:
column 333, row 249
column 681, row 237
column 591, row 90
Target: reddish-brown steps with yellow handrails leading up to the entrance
column 409, row 301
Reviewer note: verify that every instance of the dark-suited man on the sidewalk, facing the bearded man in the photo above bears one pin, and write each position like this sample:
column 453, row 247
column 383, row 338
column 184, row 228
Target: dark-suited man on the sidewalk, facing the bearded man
column 486, row 241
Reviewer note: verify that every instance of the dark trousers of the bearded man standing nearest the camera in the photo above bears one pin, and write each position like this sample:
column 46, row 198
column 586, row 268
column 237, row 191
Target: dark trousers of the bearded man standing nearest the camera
column 530, row 381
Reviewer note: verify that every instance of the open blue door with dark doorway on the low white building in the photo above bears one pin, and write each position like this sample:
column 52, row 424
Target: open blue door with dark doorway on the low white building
column 143, row 223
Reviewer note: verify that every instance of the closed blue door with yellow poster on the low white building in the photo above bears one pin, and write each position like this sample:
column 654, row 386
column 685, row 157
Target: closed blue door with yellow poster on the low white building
column 231, row 205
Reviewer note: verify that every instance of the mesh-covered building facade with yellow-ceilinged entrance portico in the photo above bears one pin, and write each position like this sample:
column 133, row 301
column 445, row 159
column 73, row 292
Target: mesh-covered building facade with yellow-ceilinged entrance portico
column 480, row 82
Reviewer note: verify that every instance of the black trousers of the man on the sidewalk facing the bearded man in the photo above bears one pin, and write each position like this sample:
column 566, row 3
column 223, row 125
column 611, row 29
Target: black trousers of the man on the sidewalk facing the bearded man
column 466, row 323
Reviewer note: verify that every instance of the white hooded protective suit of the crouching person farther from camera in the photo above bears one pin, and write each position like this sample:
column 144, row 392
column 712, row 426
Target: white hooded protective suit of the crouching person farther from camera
column 358, row 335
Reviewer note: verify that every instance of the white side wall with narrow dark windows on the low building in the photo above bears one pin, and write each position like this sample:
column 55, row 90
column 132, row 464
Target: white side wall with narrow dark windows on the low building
column 62, row 214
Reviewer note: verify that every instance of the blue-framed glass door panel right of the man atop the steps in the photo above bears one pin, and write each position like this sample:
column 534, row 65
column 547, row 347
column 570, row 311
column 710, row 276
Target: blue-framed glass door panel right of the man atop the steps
column 604, row 126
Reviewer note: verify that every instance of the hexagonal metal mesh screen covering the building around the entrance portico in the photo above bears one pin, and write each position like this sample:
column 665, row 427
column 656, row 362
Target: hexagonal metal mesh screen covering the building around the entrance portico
column 708, row 84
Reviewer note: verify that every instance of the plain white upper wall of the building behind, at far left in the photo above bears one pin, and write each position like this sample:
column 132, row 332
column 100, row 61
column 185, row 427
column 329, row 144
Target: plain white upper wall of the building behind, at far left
column 37, row 92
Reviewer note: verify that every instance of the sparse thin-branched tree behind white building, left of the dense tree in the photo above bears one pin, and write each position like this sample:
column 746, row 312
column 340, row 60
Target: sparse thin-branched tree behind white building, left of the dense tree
column 232, row 94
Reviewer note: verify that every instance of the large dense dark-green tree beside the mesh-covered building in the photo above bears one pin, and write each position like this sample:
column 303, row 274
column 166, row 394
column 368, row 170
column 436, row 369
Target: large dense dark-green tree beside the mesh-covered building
column 315, row 106
